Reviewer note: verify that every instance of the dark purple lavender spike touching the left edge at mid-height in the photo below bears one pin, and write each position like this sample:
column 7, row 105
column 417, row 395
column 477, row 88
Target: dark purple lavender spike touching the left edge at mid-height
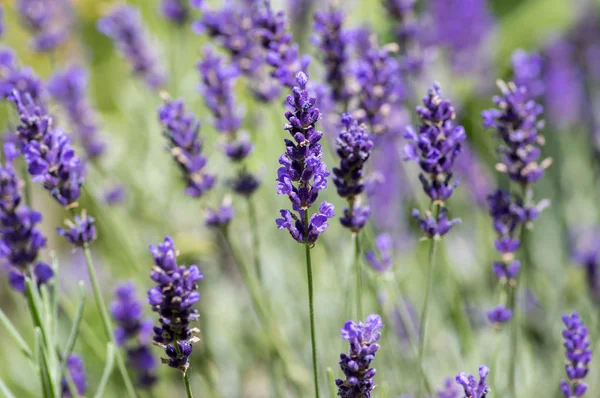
column 20, row 240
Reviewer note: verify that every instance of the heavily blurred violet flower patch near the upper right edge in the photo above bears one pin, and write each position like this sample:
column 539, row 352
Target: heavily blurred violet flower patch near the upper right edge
column 564, row 92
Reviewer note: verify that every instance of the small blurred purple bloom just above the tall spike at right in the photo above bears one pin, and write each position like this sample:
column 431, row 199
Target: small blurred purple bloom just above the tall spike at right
column 527, row 70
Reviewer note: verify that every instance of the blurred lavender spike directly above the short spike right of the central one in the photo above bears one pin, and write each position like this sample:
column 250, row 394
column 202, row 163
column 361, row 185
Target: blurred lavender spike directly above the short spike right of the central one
column 378, row 75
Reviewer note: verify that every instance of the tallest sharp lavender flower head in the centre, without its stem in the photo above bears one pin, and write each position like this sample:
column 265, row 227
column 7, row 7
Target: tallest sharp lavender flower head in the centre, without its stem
column 302, row 164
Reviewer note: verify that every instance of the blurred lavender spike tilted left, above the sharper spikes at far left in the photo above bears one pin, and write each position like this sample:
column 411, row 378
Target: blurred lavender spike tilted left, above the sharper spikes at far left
column 69, row 88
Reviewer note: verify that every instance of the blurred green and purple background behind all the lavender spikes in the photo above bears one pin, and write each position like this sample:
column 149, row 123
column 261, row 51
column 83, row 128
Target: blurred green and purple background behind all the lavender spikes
column 234, row 358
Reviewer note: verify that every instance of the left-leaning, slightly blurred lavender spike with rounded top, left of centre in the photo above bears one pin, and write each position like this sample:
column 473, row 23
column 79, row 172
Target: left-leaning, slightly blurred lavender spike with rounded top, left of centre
column 182, row 129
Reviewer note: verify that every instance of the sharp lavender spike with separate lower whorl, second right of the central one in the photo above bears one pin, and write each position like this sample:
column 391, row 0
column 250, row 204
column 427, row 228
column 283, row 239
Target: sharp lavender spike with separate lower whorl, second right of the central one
column 434, row 147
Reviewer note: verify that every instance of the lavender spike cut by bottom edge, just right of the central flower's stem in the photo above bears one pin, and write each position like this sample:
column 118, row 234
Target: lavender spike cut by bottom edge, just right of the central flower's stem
column 356, row 365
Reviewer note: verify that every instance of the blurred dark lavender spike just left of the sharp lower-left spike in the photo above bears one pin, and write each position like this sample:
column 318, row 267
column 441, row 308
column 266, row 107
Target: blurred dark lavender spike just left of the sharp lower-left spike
column 134, row 333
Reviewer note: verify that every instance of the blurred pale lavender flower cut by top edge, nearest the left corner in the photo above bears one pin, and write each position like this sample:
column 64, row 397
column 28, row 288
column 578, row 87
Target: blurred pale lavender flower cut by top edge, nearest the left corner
column 47, row 21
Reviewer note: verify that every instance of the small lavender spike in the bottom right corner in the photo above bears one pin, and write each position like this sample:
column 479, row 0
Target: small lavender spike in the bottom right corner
column 578, row 354
